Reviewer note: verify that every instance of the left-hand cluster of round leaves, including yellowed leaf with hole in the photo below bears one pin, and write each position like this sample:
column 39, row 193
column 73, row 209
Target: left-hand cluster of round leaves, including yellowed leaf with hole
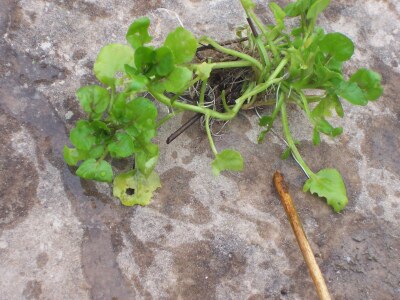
column 121, row 123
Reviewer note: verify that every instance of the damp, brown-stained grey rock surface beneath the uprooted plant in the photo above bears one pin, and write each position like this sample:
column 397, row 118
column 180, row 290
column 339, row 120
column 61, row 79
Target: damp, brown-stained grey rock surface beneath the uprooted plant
column 202, row 237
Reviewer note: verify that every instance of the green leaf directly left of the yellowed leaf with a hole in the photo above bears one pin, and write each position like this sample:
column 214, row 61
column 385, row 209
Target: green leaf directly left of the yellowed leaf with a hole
column 92, row 169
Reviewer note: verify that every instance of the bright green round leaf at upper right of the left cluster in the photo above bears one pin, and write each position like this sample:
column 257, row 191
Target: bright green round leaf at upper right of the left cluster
column 182, row 44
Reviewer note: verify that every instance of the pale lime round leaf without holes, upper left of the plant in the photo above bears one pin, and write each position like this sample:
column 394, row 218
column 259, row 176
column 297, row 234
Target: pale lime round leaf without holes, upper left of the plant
column 111, row 59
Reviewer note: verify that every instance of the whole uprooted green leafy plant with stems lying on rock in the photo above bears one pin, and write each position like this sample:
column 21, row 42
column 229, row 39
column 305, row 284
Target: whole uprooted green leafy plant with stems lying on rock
column 299, row 66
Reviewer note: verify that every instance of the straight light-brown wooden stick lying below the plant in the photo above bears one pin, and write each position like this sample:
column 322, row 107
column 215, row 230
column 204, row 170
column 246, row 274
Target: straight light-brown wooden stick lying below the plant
column 304, row 245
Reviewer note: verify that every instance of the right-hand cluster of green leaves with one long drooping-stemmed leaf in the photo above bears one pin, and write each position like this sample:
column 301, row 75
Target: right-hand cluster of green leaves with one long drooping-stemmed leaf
column 315, row 61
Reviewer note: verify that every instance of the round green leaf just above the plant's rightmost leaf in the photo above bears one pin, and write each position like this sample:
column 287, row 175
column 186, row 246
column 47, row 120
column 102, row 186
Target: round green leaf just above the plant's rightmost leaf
column 338, row 45
